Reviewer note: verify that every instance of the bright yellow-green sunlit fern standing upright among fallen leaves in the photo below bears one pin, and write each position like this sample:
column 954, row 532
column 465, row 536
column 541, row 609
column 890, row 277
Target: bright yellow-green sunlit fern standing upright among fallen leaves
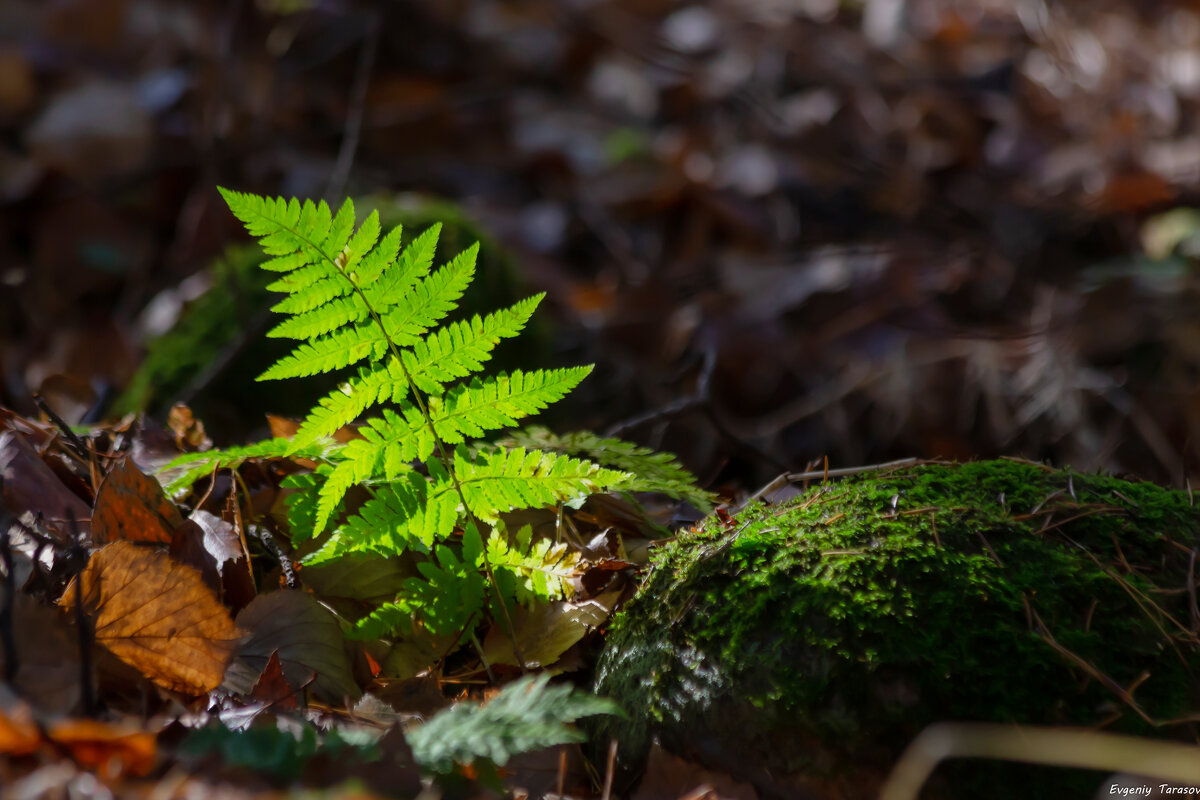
column 421, row 402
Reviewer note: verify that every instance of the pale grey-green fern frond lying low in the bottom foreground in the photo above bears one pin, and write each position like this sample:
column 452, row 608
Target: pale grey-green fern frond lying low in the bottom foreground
column 527, row 715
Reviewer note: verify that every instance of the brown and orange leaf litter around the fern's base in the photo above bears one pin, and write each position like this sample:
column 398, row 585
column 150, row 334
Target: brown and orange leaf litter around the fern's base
column 142, row 640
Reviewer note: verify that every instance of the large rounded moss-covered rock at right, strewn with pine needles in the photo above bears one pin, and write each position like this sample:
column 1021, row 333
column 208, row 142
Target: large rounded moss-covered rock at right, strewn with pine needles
column 805, row 646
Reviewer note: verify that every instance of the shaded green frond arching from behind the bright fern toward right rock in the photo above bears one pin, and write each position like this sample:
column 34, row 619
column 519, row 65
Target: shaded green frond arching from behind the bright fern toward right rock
column 649, row 471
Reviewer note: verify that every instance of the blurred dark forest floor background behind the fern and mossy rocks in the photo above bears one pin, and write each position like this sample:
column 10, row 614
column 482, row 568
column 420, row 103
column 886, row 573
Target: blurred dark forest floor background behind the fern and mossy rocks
column 784, row 230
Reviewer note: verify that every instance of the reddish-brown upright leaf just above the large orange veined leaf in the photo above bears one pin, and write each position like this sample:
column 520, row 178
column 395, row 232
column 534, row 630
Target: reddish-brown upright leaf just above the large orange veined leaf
column 131, row 506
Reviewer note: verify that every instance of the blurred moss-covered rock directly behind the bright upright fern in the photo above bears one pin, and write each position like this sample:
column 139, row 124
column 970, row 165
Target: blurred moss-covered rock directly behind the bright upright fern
column 218, row 347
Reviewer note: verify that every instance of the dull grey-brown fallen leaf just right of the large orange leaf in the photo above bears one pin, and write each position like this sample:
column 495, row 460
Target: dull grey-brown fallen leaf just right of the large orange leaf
column 308, row 639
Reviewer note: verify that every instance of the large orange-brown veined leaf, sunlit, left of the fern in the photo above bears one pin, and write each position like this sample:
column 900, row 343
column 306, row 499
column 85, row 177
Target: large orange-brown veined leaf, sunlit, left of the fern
column 158, row 617
